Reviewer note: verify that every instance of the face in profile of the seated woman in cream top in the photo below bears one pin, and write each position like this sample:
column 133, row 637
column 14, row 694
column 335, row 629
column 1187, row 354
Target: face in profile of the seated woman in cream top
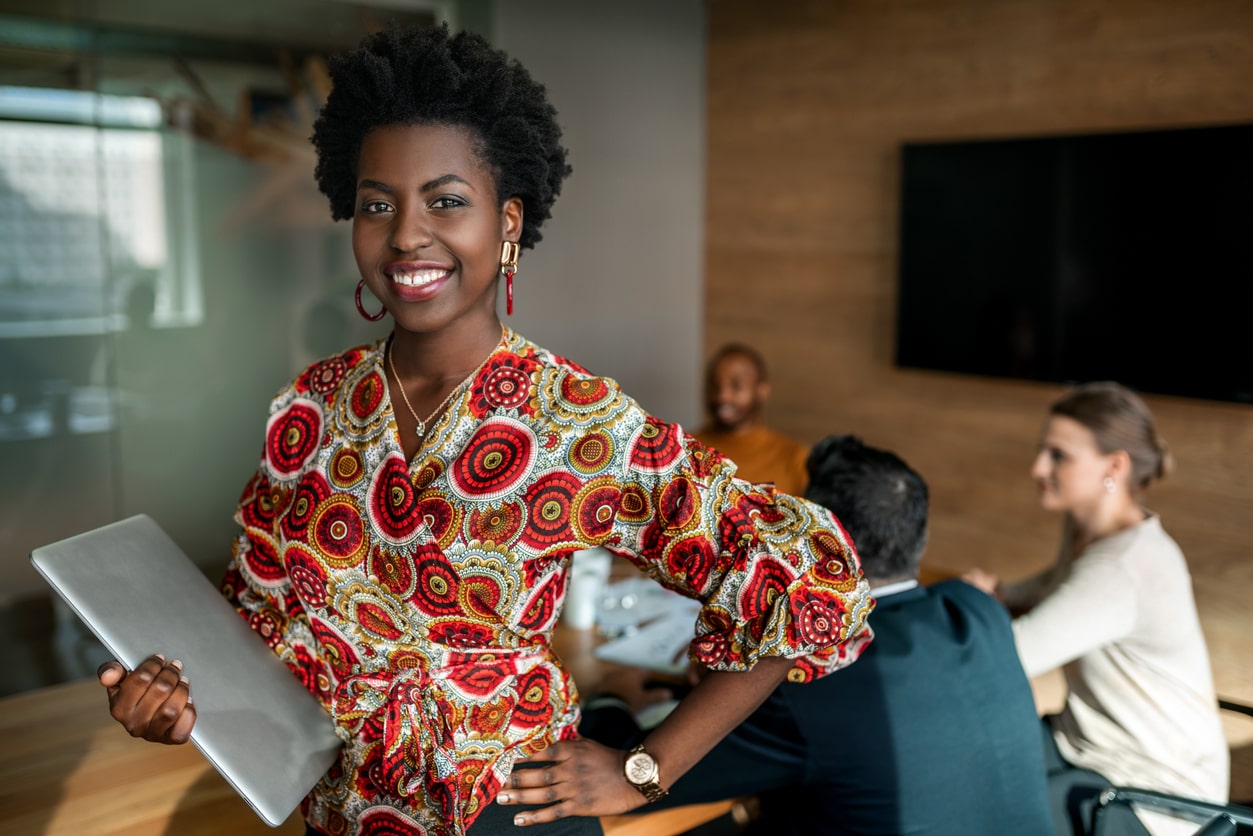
column 1071, row 469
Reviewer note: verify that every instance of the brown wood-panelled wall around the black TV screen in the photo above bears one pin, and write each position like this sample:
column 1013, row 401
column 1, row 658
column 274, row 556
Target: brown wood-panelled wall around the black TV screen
column 809, row 103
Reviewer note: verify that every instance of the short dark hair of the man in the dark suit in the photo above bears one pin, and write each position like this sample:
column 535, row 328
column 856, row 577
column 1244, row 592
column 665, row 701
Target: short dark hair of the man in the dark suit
column 879, row 499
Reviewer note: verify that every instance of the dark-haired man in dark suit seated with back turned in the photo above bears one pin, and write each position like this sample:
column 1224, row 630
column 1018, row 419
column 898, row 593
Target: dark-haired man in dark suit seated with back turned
column 933, row 733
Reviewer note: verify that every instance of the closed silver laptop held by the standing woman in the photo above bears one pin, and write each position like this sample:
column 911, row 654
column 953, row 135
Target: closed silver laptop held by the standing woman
column 141, row 595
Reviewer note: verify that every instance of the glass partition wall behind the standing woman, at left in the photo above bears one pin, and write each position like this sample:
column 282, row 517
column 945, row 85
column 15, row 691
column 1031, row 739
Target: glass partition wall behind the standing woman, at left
column 166, row 265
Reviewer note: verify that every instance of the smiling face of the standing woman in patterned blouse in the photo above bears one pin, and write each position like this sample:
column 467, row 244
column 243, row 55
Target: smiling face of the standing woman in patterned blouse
column 428, row 230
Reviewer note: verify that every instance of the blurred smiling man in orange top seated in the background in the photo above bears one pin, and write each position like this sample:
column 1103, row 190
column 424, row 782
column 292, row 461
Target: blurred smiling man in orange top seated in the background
column 737, row 387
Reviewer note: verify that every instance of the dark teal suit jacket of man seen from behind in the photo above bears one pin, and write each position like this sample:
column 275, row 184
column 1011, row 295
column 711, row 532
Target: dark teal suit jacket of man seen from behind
column 932, row 731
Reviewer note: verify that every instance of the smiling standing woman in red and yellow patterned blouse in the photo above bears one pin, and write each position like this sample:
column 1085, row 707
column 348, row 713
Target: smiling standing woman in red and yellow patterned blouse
column 412, row 570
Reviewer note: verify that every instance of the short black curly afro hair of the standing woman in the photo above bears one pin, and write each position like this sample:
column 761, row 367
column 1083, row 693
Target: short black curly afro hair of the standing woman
column 402, row 77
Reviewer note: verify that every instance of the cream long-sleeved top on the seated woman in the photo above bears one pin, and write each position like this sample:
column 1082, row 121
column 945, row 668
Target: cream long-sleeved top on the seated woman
column 1122, row 621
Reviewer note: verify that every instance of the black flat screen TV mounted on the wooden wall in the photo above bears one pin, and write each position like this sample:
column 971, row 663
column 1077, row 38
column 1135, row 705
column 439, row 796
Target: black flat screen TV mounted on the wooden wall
column 1120, row 256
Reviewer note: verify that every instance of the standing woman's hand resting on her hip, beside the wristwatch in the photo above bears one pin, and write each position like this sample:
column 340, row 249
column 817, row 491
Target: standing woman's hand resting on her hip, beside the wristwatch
column 578, row 778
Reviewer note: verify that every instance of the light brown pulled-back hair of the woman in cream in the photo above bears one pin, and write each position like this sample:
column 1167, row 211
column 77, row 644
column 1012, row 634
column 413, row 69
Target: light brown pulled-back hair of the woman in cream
column 1120, row 421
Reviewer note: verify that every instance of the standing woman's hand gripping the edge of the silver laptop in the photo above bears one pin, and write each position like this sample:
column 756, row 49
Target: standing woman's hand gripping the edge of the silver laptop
column 153, row 701
